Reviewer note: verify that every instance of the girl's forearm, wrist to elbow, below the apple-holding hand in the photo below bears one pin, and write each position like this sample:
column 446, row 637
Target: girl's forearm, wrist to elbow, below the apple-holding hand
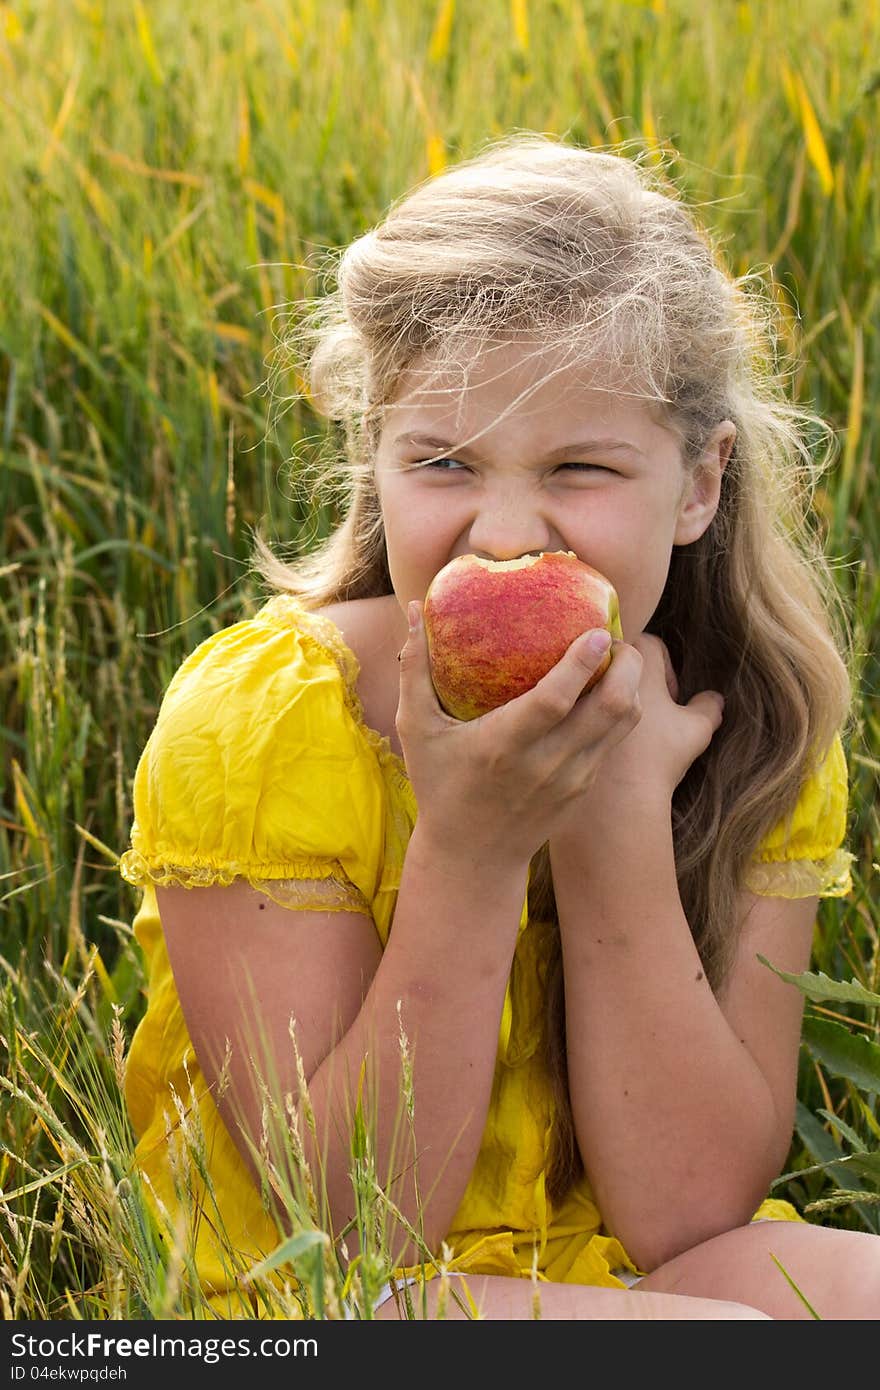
column 443, row 981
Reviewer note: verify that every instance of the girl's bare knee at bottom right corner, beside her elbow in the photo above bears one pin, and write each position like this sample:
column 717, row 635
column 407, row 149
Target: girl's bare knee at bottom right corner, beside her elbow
column 838, row 1271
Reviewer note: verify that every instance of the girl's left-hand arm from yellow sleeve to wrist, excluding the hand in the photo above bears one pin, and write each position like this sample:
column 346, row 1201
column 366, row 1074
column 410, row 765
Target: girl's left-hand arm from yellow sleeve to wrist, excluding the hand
column 245, row 967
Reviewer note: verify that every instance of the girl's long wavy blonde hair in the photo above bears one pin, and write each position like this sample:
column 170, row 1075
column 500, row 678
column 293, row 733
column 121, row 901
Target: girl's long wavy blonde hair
column 596, row 254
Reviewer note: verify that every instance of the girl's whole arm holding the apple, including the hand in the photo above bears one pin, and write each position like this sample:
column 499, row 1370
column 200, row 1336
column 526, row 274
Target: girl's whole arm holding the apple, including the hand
column 489, row 796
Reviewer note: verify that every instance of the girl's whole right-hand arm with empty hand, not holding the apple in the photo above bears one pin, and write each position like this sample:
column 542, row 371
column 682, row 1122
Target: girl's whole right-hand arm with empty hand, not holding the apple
column 683, row 1100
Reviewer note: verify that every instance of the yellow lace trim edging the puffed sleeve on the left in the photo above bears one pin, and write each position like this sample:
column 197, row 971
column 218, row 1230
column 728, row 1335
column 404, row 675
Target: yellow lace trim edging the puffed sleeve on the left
column 298, row 886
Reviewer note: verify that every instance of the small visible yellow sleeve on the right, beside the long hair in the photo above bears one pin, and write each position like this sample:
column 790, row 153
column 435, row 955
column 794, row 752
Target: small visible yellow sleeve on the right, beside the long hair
column 804, row 856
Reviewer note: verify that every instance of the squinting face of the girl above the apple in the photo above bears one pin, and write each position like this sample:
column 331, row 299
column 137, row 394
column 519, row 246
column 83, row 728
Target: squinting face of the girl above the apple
column 504, row 471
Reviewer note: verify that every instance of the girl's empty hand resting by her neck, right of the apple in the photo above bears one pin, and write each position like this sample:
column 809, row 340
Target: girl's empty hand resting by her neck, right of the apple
column 669, row 737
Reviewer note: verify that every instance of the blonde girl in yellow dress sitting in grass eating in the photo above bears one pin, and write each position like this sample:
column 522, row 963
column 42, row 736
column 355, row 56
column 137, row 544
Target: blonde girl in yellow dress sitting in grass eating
column 541, row 926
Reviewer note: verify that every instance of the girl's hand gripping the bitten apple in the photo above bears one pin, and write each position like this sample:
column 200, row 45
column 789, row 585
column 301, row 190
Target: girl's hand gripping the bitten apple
column 494, row 790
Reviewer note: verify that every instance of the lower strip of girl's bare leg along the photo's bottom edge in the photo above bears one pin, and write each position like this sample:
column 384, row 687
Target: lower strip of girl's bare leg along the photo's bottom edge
column 496, row 1298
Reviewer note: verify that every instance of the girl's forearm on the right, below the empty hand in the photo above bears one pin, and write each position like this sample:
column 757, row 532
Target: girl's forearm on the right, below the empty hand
column 675, row 1121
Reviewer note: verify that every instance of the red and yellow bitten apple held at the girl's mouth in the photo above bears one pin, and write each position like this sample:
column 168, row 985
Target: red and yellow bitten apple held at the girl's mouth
column 496, row 628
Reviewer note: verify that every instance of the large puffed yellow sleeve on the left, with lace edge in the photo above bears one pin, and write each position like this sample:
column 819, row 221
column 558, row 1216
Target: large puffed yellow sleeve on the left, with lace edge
column 258, row 769
